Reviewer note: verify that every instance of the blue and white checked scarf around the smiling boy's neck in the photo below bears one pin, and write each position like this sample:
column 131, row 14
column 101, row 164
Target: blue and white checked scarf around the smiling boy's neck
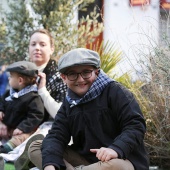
column 95, row 90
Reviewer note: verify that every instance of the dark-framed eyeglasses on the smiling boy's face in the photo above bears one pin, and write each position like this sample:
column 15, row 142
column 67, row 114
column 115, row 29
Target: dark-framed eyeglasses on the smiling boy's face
column 84, row 74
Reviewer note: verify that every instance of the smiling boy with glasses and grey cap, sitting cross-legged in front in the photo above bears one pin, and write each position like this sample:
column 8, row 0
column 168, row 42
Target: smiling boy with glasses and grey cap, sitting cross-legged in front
column 103, row 118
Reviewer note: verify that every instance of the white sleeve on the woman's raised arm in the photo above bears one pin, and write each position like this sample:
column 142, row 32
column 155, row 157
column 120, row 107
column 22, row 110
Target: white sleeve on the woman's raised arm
column 50, row 104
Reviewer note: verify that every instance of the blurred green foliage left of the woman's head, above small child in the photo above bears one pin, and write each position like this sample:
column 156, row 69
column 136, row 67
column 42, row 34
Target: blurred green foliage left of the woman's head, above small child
column 17, row 23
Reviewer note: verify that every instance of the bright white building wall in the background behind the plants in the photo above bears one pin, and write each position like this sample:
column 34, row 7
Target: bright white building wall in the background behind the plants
column 135, row 30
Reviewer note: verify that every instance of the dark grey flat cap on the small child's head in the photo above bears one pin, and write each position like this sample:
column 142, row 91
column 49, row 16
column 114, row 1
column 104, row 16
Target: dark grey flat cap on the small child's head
column 24, row 67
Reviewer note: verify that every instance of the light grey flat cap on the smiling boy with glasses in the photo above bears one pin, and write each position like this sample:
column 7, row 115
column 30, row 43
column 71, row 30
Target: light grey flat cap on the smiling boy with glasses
column 79, row 56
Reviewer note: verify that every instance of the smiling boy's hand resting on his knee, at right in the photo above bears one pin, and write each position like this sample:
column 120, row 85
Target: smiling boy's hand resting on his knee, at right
column 105, row 154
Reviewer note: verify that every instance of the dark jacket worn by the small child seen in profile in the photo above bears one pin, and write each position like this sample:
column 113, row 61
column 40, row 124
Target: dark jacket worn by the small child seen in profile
column 25, row 113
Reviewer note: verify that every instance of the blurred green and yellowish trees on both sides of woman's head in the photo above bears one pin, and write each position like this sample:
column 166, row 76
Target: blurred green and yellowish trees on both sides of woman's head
column 57, row 17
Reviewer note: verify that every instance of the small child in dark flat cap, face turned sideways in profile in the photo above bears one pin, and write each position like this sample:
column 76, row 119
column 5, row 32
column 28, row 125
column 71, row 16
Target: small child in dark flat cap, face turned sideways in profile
column 21, row 108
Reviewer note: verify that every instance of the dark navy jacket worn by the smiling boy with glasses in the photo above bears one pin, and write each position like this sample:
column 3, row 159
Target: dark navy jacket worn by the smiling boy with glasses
column 112, row 120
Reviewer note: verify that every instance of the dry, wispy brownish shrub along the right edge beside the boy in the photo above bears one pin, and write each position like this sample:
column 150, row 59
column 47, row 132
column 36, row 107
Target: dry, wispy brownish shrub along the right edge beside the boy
column 154, row 99
